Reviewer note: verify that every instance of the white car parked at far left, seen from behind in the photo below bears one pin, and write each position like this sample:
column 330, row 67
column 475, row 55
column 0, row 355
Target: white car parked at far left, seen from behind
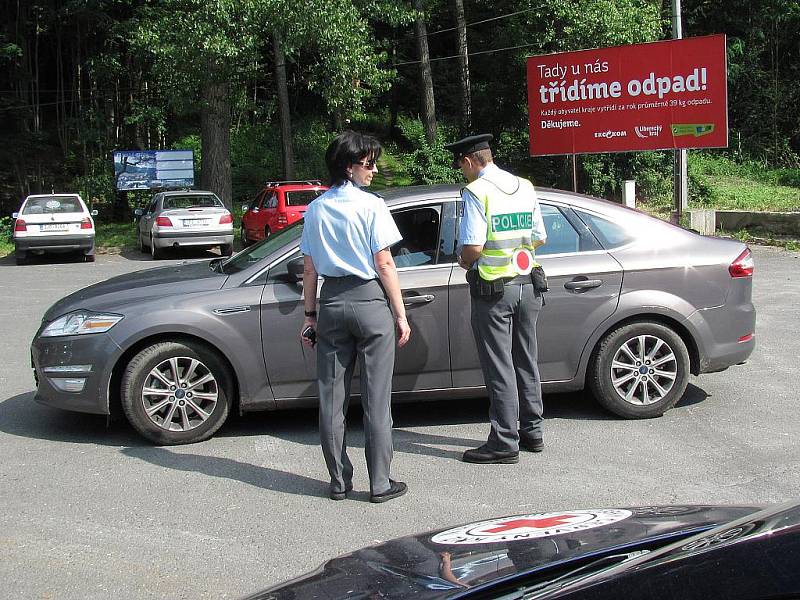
column 54, row 223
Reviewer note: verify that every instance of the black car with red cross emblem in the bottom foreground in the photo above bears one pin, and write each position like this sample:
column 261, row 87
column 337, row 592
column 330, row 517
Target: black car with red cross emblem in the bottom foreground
column 665, row 552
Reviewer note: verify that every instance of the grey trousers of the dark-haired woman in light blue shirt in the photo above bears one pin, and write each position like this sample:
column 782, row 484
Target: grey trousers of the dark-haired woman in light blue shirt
column 355, row 323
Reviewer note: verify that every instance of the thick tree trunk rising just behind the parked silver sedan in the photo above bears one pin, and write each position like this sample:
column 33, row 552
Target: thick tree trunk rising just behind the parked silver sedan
column 215, row 134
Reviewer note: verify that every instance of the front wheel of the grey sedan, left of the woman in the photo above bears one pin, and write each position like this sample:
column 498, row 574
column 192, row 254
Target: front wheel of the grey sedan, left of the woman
column 183, row 419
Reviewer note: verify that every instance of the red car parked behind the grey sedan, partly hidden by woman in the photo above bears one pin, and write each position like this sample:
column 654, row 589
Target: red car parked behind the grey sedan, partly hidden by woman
column 278, row 205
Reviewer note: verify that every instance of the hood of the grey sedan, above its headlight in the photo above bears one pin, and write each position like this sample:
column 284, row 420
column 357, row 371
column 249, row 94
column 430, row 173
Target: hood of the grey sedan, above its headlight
column 113, row 294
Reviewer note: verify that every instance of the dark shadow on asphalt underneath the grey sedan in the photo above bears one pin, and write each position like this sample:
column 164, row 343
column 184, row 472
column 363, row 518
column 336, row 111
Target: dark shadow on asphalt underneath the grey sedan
column 21, row 416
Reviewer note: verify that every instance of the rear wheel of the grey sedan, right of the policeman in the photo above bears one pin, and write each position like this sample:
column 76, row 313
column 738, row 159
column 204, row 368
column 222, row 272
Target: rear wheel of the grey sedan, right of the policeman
column 640, row 370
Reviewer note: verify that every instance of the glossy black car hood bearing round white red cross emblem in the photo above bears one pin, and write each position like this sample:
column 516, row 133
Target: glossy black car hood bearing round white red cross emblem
column 445, row 563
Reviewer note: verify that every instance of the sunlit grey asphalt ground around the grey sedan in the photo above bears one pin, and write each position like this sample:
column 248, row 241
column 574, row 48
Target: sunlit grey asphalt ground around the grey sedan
column 94, row 511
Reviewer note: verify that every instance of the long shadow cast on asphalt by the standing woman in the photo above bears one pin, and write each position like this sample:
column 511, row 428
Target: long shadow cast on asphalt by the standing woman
column 214, row 466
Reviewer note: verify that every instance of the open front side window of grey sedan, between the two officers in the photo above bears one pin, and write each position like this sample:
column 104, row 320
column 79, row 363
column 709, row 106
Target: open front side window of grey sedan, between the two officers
column 420, row 230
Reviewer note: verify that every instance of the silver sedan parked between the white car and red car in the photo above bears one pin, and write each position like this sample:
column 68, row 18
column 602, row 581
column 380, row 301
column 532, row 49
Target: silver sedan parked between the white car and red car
column 188, row 218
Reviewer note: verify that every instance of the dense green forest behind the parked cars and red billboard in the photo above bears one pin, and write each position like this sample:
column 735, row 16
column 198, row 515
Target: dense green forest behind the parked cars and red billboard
column 229, row 78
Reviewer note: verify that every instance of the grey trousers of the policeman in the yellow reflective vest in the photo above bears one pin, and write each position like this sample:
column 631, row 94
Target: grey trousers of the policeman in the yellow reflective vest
column 505, row 334
